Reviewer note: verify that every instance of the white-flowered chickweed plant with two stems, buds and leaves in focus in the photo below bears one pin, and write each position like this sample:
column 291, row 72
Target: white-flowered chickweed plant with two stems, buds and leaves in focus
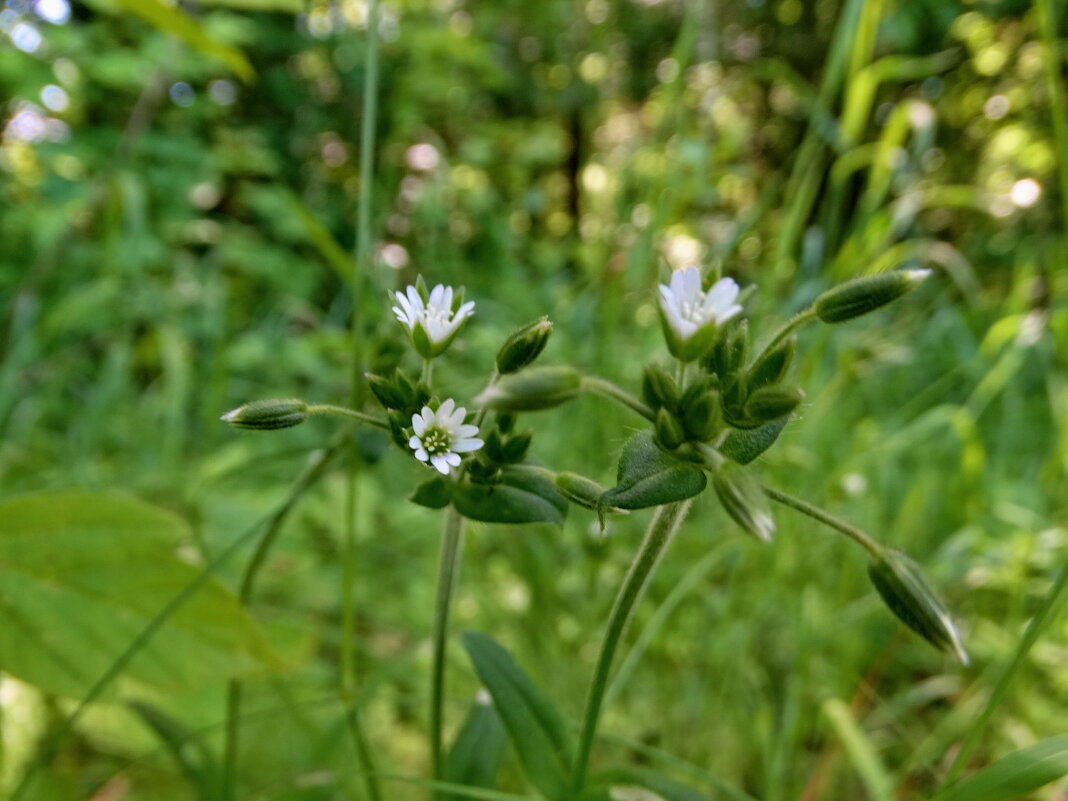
column 712, row 406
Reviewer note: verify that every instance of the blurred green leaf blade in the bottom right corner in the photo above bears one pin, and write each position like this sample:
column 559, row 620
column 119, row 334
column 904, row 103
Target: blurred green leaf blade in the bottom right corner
column 1016, row 775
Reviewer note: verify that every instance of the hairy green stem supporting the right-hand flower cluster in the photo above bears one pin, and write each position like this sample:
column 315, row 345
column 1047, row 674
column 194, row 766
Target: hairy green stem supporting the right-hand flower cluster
column 658, row 537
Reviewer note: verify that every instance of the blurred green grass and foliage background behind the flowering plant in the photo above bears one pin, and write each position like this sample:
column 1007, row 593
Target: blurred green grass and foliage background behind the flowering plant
column 177, row 221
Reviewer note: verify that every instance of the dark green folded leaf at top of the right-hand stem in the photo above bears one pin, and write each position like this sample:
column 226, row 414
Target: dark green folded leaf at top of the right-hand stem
column 648, row 477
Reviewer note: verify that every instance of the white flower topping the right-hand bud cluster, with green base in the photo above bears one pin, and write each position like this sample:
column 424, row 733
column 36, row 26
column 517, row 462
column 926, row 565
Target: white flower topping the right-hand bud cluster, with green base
column 690, row 318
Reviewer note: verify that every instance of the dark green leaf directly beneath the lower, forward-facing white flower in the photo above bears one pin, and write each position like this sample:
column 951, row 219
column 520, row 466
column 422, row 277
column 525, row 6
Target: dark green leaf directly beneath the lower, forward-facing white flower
column 523, row 496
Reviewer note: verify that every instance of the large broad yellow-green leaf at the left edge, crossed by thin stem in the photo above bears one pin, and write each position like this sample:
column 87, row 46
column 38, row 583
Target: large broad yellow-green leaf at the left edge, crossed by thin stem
column 82, row 575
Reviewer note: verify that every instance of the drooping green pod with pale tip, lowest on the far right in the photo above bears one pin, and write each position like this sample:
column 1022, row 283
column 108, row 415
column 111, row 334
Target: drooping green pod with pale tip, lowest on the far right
column 902, row 585
